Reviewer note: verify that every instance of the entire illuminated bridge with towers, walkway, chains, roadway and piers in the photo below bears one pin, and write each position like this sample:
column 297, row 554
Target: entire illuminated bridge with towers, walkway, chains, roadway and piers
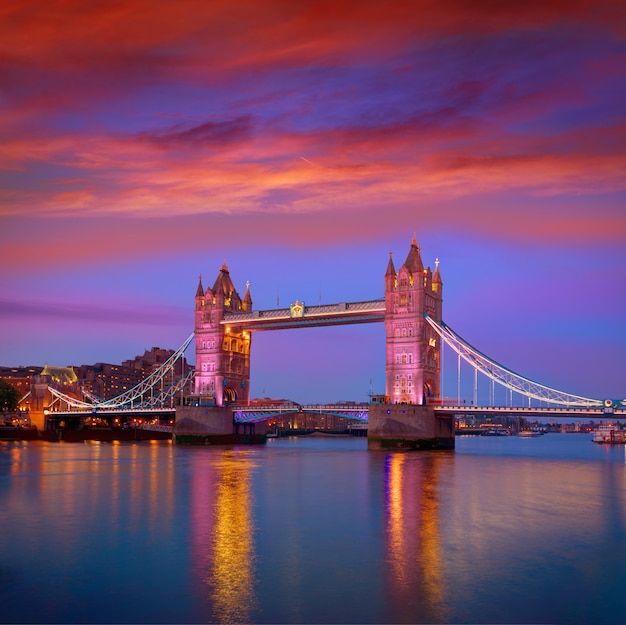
column 411, row 414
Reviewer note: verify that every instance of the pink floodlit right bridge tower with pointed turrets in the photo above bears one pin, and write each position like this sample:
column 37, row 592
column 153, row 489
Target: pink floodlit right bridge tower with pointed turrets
column 413, row 347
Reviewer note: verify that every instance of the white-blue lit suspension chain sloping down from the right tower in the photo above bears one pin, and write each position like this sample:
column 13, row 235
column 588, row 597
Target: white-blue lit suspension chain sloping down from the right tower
column 503, row 376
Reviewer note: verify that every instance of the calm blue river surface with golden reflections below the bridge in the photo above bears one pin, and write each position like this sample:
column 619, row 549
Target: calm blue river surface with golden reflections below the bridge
column 314, row 530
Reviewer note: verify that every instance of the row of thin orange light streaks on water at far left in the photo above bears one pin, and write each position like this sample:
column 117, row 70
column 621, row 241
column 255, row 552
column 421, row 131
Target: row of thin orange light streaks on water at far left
column 139, row 492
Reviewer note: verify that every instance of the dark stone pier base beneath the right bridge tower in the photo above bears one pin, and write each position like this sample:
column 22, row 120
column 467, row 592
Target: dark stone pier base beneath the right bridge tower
column 407, row 426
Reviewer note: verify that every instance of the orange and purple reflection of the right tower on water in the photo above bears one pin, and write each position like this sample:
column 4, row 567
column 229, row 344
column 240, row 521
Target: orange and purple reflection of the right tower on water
column 415, row 561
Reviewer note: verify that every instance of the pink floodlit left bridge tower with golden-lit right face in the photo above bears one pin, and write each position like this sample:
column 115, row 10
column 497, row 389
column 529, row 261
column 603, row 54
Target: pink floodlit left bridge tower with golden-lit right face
column 222, row 353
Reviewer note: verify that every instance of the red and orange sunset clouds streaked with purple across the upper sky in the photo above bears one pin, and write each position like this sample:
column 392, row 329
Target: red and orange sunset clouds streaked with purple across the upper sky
column 144, row 110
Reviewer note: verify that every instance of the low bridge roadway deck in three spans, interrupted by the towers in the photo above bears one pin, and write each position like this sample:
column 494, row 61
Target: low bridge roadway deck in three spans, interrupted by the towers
column 360, row 413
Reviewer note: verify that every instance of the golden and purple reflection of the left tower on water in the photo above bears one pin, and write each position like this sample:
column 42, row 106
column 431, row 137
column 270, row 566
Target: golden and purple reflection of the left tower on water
column 223, row 532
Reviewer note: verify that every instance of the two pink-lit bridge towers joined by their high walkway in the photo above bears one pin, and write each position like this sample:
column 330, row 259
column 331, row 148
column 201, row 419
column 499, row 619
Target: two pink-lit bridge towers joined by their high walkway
column 225, row 322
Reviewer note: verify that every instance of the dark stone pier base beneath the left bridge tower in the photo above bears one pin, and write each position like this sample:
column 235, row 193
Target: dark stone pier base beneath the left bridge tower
column 213, row 425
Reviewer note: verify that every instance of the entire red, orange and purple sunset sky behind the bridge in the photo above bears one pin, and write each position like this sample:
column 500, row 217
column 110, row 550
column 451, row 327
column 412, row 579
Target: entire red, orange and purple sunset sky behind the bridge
column 142, row 143
